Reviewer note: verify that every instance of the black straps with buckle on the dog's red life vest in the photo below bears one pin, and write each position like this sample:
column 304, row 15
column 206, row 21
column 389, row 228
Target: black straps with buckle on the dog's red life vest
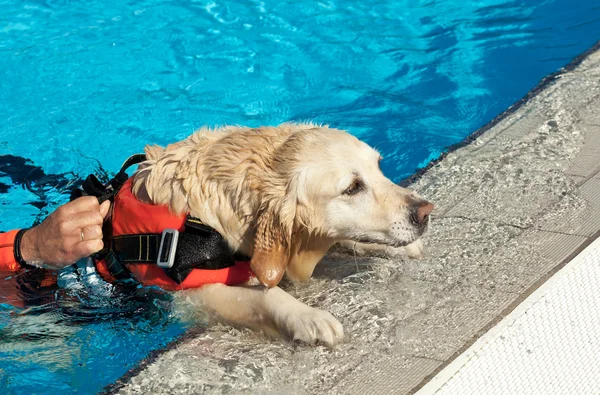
column 198, row 247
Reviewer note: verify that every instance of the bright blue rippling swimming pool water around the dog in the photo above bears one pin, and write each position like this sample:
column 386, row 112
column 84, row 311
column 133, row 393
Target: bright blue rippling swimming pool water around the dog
column 85, row 84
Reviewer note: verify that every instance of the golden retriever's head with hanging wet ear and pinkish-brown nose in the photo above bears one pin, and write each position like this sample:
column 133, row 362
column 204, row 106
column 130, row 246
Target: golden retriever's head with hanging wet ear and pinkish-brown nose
column 327, row 184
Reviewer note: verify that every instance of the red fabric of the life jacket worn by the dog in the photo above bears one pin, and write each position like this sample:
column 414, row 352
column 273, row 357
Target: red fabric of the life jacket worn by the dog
column 130, row 217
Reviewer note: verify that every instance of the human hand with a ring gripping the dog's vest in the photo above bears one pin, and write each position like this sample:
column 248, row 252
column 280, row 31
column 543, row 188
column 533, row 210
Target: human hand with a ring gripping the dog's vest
column 70, row 233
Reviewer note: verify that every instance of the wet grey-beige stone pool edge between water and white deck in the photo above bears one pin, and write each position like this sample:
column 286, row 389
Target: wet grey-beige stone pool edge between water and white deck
column 516, row 201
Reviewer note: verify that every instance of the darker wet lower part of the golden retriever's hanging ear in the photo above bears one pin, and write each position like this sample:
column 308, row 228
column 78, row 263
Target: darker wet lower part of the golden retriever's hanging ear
column 271, row 249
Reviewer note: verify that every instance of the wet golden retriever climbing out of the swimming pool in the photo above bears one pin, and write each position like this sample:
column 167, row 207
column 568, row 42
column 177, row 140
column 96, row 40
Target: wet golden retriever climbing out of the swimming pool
column 284, row 196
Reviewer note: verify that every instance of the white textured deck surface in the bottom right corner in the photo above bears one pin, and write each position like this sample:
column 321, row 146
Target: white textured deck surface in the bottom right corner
column 547, row 345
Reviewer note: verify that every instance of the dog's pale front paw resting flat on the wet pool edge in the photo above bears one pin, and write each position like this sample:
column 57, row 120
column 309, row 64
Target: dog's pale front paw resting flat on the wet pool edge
column 311, row 325
